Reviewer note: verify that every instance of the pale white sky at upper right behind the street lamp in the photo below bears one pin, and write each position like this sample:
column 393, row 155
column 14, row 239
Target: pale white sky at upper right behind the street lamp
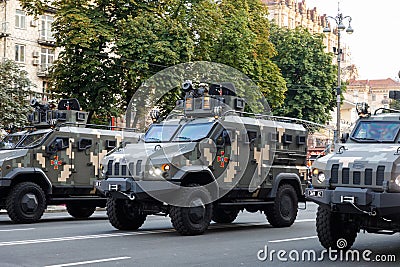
column 375, row 43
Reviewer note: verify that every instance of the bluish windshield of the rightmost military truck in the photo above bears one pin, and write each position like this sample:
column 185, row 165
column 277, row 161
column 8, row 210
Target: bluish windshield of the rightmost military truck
column 376, row 131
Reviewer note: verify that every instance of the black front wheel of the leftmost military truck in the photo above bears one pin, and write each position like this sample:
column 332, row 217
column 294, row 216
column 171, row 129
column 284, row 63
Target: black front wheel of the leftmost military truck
column 26, row 203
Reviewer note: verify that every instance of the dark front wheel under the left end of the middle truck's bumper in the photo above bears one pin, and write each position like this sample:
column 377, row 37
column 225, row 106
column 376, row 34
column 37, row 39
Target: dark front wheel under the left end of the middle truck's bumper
column 124, row 215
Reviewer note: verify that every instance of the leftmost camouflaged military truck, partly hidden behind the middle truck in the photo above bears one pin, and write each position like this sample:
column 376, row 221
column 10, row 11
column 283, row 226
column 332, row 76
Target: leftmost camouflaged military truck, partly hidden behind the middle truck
column 55, row 161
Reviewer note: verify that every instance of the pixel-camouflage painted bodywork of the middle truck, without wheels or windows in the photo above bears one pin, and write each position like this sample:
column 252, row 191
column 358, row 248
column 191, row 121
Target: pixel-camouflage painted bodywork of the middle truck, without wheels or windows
column 271, row 154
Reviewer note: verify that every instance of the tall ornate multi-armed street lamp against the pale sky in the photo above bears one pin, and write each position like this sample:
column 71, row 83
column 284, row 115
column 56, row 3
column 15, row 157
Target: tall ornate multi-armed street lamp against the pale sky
column 338, row 52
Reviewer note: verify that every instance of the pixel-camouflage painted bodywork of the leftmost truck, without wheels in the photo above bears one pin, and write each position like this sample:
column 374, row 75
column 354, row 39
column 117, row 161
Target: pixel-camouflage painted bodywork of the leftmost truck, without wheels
column 69, row 165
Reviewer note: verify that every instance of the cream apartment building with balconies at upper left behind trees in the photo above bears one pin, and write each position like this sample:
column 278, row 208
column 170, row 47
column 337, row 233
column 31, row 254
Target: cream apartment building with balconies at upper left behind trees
column 29, row 41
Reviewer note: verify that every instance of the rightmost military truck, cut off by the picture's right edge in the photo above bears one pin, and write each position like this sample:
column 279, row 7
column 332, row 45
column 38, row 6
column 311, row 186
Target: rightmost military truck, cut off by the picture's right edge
column 358, row 186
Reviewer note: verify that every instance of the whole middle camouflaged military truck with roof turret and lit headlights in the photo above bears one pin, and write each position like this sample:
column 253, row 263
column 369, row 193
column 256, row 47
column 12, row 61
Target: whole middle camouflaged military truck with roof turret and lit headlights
column 208, row 163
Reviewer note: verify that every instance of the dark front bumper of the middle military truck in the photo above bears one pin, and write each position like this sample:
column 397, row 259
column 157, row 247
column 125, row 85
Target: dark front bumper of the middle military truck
column 127, row 188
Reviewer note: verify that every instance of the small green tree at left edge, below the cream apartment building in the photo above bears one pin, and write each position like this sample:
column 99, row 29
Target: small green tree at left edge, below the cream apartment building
column 14, row 90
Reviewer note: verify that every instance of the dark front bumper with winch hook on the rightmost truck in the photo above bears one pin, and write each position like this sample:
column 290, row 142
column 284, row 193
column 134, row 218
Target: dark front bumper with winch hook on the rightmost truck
column 356, row 200
